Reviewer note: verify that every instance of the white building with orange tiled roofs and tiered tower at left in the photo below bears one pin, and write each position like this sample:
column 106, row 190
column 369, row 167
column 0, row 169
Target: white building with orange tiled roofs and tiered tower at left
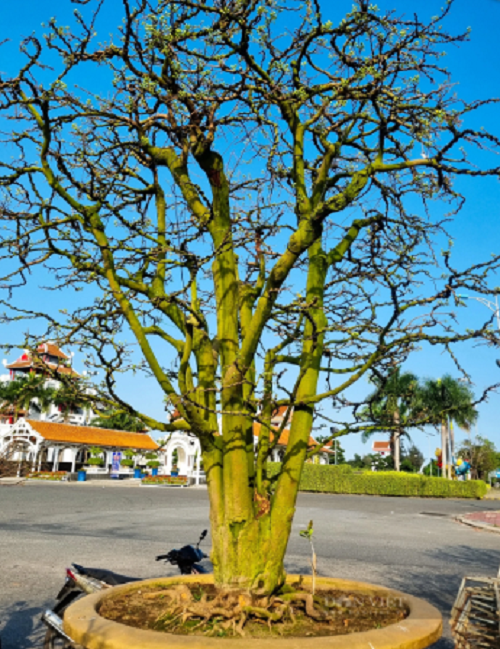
column 61, row 440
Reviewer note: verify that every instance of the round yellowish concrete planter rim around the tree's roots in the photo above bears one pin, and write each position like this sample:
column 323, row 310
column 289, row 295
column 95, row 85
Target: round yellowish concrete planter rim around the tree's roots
column 420, row 629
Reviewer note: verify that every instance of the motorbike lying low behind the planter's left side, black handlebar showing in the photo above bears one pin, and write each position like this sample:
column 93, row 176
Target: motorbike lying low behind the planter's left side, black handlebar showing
column 81, row 581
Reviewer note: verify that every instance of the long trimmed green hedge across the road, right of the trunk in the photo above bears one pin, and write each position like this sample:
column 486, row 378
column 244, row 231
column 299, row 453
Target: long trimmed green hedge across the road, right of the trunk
column 344, row 480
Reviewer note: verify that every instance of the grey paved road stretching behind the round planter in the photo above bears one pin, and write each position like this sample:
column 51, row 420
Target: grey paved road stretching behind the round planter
column 410, row 544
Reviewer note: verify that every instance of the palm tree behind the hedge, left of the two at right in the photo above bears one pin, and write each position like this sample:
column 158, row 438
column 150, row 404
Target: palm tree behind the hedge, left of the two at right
column 393, row 405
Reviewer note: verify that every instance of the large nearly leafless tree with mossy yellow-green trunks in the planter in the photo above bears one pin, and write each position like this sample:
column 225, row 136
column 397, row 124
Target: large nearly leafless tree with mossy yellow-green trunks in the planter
column 251, row 189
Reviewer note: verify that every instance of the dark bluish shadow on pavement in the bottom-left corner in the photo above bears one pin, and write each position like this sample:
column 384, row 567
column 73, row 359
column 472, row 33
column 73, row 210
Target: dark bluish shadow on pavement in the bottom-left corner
column 21, row 626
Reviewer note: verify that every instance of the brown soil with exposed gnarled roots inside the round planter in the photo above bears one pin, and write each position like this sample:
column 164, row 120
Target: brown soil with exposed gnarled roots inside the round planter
column 200, row 609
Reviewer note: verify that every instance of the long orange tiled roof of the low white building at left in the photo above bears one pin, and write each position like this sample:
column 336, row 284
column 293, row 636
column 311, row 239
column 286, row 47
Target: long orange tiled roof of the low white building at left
column 92, row 436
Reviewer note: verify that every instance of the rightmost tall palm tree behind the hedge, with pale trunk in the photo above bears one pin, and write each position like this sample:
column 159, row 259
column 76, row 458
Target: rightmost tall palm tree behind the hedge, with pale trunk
column 446, row 401
